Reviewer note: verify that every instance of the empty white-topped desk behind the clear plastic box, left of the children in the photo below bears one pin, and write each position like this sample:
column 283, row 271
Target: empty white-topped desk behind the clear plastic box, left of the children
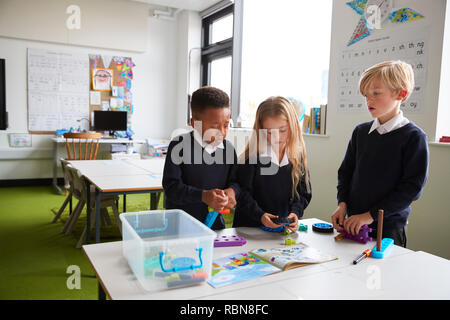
column 119, row 177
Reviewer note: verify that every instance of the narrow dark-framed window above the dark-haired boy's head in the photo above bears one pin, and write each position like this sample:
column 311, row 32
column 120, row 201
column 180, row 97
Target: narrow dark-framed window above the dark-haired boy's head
column 217, row 49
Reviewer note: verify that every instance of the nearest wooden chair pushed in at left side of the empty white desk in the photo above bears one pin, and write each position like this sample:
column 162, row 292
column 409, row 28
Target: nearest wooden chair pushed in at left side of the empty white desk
column 79, row 191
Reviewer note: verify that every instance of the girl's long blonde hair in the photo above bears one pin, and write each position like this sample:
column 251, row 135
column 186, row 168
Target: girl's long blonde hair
column 295, row 147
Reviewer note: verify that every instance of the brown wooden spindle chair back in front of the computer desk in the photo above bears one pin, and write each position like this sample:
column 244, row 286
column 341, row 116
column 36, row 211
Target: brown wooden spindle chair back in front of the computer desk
column 81, row 137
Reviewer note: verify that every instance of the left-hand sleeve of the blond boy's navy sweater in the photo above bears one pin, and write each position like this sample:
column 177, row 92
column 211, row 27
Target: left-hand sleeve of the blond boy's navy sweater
column 345, row 171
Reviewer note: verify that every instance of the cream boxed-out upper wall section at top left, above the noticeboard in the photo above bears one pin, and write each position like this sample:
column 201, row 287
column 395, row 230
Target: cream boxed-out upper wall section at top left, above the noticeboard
column 88, row 22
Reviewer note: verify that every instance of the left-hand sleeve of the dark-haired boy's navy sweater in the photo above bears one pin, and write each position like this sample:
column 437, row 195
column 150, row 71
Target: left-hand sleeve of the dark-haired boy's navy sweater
column 174, row 187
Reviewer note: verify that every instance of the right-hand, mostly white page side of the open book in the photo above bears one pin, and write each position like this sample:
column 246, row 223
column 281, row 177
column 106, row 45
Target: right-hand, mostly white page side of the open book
column 289, row 257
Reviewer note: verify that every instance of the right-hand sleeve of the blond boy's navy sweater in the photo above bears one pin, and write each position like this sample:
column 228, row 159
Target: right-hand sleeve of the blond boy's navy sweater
column 415, row 173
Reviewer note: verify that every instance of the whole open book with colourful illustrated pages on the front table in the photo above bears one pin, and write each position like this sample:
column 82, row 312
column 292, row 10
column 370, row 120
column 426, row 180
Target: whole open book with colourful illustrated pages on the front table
column 260, row 262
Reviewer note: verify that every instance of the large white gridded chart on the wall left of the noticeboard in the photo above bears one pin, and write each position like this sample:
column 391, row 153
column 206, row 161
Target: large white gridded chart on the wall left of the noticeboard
column 58, row 90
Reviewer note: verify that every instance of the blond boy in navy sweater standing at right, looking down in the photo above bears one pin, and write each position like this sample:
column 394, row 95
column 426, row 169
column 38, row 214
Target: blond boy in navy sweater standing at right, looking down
column 386, row 163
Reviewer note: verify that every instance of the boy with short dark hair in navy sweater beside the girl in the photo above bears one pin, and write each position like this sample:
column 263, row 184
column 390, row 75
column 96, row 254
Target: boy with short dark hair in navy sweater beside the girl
column 200, row 167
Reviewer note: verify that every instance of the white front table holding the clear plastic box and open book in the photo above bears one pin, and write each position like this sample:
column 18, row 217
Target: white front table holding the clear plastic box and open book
column 404, row 274
